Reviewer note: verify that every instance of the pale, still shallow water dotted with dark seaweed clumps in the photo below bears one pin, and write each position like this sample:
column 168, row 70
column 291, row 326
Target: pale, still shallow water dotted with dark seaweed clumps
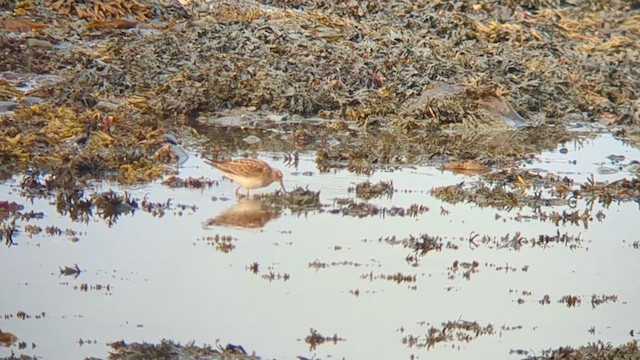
column 165, row 281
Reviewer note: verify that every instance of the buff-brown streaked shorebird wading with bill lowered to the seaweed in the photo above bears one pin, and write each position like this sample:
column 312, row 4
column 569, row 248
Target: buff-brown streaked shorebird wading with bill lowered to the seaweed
column 248, row 173
